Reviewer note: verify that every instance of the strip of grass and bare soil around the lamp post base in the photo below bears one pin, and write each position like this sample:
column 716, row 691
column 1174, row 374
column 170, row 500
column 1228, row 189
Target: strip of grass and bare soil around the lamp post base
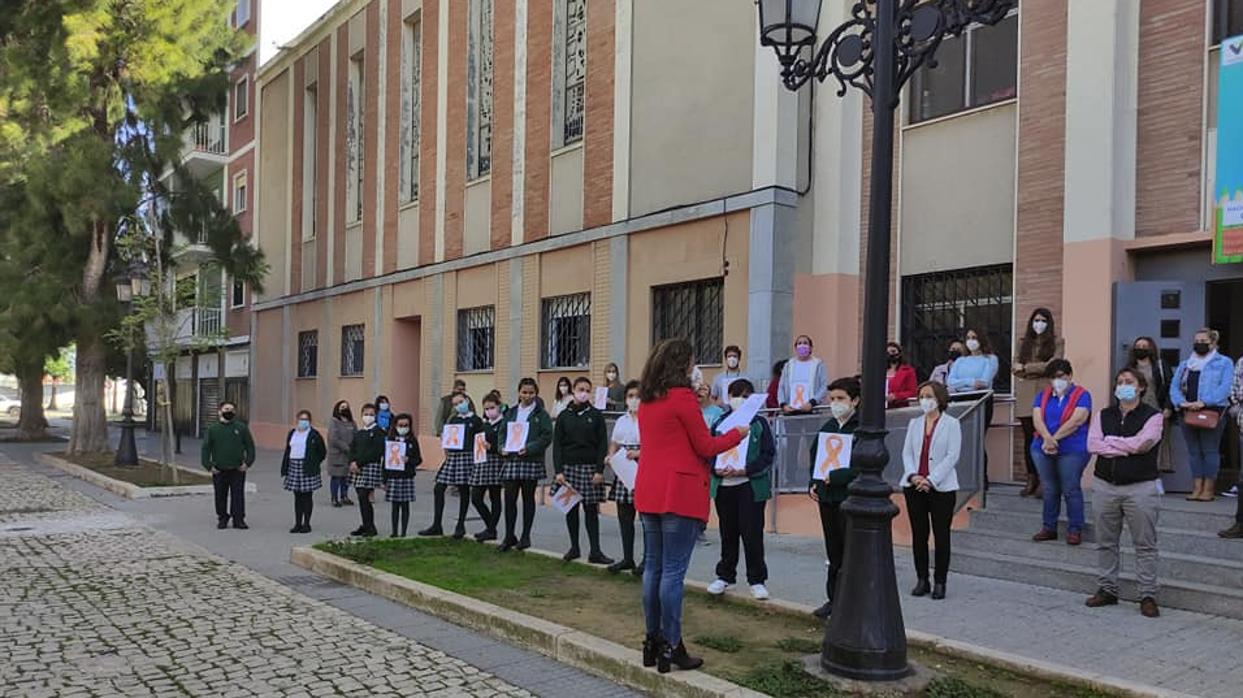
column 764, row 650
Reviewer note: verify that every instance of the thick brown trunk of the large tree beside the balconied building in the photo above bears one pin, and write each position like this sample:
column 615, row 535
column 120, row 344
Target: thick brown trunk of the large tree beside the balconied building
column 90, row 434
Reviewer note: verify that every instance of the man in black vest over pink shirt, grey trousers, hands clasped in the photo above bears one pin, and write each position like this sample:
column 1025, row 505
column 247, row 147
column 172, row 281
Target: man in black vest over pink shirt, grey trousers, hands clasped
column 1127, row 487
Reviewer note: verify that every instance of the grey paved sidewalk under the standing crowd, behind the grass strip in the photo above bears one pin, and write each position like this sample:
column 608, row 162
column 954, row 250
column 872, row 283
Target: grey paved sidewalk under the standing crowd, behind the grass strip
column 1180, row 651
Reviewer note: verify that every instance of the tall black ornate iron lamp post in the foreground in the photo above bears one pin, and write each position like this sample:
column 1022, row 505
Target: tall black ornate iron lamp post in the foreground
column 877, row 52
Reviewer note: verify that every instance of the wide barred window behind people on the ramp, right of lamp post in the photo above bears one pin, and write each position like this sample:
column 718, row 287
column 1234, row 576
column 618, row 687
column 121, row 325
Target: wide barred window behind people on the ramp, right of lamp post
column 940, row 307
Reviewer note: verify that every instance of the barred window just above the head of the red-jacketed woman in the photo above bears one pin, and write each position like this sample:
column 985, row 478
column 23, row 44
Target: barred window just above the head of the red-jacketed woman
column 693, row 311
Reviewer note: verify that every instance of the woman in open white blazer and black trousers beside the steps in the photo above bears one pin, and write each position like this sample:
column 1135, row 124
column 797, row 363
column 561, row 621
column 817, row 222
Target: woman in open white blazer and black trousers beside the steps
column 930, row 484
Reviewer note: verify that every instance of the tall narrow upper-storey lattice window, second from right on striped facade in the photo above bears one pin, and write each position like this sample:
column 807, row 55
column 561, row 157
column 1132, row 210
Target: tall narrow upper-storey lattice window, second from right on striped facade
column 479, row 99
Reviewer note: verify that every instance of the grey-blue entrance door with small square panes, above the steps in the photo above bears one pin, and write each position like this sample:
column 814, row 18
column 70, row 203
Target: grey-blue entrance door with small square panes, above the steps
column 1169, row 312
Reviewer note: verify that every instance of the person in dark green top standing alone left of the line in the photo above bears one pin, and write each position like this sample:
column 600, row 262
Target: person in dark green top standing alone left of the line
column 228, row 454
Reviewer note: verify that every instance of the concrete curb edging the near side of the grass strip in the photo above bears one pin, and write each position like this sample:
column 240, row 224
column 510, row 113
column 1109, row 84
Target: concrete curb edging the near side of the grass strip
column 566, row 645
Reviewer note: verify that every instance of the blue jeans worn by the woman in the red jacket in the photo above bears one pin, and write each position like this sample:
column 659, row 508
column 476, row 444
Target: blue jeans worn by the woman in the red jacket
column 669, row 541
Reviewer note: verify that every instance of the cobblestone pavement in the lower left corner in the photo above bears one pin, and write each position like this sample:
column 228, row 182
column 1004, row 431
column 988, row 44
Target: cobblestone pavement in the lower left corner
column 91, row 604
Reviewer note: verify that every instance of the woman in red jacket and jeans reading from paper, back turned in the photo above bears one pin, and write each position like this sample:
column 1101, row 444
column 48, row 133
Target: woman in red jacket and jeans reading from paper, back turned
column 672, row 494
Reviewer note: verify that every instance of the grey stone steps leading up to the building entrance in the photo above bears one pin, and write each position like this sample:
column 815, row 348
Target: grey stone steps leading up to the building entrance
column 1200, row 572
